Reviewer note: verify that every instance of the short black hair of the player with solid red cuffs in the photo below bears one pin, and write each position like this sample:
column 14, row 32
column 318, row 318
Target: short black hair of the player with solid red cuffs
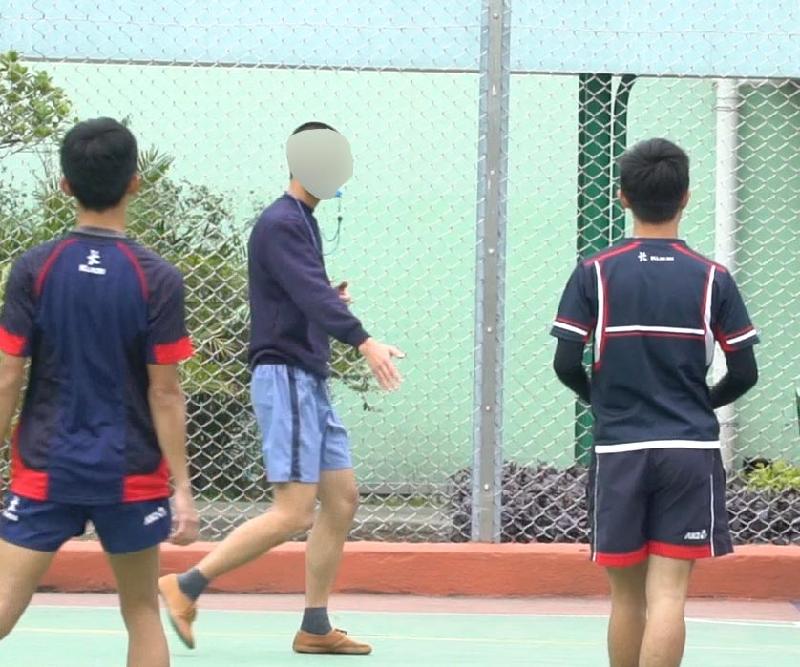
column 99, row 158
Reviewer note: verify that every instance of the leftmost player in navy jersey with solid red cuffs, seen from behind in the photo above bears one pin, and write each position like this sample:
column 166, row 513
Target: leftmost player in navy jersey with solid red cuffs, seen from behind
column 101, row 320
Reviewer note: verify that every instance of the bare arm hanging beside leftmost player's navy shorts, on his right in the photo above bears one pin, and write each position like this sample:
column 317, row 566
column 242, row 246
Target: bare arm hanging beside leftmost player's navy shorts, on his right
column 168, row 408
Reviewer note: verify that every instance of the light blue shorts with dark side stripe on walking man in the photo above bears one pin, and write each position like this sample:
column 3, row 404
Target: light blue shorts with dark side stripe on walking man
column 302, row 435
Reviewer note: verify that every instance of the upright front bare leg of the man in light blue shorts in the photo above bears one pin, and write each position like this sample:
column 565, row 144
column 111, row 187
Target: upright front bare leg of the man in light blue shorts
column 338, row 496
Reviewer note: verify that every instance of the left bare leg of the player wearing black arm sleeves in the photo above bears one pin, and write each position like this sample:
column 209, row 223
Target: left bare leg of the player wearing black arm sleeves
column 628, row 614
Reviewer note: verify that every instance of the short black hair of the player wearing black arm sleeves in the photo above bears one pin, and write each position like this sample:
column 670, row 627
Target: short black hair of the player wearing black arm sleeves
column 654, row 177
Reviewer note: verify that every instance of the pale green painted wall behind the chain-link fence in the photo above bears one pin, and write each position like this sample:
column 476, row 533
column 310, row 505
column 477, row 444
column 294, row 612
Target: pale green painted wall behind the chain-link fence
column 408, row 242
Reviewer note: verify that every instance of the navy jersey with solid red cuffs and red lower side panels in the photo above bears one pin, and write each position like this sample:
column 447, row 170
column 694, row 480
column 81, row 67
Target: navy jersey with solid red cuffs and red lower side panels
column 91, row 310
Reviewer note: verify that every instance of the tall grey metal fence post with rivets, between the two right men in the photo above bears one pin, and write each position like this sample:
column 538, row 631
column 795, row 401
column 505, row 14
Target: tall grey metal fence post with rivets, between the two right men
column 490, row 270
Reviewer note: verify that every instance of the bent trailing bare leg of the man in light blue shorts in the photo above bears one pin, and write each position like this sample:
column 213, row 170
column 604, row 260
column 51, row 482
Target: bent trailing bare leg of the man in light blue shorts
column 291, row 513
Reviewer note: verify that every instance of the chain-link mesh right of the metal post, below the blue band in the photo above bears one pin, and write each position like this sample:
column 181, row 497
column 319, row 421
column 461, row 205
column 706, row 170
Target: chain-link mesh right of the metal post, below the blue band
column 753, row 228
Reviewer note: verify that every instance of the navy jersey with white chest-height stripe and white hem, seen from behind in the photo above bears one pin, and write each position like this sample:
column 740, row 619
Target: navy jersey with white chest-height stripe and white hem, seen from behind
column 654, row 309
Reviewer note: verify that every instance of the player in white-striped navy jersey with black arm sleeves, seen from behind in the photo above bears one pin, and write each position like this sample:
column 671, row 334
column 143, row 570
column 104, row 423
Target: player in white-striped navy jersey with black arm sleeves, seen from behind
column 654, row 310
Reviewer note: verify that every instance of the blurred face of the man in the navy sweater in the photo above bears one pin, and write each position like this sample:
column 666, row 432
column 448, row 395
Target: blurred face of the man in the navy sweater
column 320, row 160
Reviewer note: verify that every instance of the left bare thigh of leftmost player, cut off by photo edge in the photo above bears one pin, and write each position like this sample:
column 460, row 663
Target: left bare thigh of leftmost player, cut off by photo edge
column 20, row 572
